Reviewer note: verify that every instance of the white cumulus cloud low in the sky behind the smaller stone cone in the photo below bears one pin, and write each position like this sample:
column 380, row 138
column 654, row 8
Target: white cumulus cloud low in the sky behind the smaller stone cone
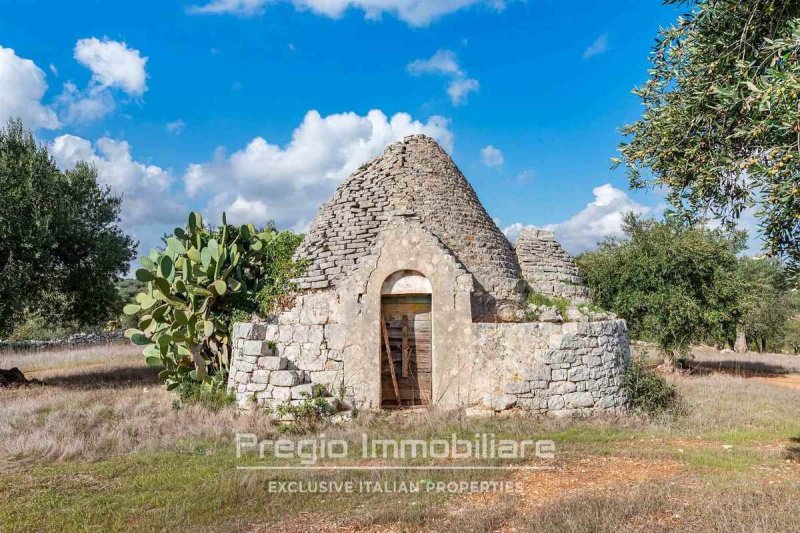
column 601, row 218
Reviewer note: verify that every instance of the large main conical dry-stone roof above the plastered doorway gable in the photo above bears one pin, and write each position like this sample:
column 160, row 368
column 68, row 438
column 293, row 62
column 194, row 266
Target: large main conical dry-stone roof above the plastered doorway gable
column 413, row 178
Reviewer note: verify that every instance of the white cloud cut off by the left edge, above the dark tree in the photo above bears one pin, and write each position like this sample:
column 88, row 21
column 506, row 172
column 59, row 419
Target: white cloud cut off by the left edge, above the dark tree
column 22, row 86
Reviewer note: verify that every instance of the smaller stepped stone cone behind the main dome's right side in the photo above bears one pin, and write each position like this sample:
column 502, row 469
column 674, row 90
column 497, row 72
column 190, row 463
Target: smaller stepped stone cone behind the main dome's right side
column 547, row 268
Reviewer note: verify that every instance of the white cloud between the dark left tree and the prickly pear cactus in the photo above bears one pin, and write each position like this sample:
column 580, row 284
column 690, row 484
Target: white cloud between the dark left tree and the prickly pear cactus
column 145, row 189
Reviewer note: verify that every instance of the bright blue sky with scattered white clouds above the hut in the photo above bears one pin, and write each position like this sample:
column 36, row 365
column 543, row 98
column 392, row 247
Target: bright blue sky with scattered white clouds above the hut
column 220, row 114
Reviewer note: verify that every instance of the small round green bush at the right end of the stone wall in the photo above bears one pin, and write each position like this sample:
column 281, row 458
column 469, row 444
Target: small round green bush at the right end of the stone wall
column 648, row 392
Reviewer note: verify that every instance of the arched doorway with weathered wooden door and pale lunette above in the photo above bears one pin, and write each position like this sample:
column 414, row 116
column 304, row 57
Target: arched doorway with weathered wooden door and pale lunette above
column 406, row 334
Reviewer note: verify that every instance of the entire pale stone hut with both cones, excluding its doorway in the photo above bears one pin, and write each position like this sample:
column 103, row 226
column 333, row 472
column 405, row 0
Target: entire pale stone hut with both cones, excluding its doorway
column 411, row 210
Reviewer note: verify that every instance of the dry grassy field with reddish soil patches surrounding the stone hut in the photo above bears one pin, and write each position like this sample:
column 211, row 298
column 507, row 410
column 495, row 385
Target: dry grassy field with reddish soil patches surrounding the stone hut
column 99, row 446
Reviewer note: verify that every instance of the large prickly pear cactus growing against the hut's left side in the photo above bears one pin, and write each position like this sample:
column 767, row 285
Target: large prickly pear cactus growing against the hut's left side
column 193, row 288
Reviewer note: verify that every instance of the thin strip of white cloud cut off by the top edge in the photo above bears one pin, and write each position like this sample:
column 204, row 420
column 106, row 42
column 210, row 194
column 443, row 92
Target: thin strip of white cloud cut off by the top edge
column 413, row 12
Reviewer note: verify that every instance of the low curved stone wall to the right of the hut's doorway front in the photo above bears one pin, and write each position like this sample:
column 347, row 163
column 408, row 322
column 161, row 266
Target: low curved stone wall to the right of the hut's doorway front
column 561, row 369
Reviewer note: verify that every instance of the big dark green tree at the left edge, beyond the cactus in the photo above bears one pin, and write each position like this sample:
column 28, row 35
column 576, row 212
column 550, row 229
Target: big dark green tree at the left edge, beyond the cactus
column 61, row 249
